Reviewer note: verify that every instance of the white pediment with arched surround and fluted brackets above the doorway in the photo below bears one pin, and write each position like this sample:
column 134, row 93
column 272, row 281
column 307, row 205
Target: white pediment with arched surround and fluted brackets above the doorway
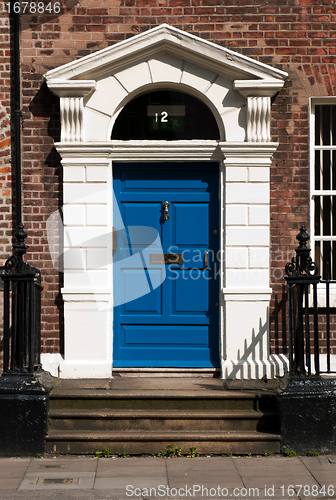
column 94, row 88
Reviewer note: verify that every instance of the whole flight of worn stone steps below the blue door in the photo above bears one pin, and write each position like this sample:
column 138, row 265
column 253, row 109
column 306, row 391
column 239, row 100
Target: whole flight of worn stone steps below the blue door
column 145, row 415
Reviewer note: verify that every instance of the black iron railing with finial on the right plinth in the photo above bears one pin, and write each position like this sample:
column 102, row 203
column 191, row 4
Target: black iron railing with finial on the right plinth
column 304, row 314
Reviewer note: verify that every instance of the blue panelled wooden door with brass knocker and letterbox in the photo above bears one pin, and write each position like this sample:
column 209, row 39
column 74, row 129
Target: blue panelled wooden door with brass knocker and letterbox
column 166, row 275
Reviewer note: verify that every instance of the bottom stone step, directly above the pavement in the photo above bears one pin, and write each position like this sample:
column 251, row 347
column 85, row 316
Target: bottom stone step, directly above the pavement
column 152, row 442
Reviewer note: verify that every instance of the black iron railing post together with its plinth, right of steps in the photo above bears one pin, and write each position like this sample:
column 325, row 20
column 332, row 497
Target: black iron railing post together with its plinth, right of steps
column 306, row 402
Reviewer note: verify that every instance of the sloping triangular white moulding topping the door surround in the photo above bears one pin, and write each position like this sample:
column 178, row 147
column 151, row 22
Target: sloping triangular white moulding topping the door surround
column 165, row 39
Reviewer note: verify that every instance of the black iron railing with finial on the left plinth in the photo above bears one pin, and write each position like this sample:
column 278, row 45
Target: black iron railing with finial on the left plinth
column 21, row 313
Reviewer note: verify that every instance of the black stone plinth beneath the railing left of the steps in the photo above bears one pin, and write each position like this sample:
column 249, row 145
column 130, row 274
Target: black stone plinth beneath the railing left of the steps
column 23, row 416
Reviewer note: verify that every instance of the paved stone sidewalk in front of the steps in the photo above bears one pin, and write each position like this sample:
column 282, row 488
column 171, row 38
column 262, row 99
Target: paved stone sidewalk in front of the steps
column 88, row 478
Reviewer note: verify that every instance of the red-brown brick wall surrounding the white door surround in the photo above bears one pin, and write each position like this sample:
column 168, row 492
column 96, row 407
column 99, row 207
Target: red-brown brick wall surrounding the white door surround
column 297, row 36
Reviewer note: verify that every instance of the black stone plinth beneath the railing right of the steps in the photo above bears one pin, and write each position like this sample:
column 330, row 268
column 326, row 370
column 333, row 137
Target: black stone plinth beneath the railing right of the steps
column 307, row 408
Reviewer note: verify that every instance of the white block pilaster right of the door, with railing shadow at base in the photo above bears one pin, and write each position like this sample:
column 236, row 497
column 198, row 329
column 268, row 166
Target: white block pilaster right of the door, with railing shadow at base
column 246, row 242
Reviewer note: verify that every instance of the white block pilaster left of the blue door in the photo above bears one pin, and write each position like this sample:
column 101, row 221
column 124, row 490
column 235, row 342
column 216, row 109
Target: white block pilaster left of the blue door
column 87, row 292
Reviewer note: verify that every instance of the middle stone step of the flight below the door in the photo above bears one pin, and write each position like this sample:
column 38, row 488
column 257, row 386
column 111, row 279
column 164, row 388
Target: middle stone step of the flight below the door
column 161, row 420
